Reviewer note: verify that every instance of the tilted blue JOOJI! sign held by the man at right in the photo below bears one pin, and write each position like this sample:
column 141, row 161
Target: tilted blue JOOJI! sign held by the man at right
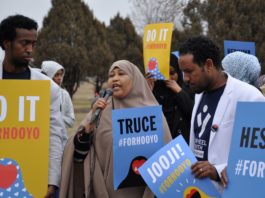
column 168, row 173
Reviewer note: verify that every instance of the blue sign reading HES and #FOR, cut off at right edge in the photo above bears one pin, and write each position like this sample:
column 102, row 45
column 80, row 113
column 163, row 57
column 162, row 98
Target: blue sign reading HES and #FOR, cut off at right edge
column 246, row 162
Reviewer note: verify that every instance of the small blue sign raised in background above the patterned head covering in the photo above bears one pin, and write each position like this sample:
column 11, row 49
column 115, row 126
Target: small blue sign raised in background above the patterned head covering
column 246, row 47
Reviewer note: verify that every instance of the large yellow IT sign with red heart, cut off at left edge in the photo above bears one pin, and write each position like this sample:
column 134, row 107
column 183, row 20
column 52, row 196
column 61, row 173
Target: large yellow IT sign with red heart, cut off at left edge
column 24, row 137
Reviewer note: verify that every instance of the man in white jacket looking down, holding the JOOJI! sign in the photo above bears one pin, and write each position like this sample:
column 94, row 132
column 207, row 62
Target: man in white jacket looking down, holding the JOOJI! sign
column 213, row 116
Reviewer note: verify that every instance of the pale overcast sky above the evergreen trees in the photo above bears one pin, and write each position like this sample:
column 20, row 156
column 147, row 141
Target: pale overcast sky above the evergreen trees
column 103, row 10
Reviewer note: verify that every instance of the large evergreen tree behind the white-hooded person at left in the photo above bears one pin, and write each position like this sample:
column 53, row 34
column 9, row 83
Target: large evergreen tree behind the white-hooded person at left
column 72, row 37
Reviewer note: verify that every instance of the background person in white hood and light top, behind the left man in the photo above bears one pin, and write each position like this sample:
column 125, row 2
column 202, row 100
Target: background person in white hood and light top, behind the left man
column 56, row 72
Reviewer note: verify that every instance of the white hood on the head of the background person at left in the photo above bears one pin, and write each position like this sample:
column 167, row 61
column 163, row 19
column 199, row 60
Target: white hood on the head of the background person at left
column 51, row 67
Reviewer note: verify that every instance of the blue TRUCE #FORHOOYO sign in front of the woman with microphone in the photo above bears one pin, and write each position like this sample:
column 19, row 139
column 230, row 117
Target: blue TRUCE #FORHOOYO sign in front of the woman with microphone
column 137, row 134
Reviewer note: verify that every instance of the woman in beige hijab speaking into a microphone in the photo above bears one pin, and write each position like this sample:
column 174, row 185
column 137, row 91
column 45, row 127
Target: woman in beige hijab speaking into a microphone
column 87, row 169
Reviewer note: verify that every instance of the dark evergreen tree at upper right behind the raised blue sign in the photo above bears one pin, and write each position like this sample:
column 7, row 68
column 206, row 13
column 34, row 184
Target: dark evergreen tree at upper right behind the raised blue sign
column 236, row 20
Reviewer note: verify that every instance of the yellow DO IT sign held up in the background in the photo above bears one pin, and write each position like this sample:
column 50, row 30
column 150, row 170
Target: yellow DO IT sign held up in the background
column 156, row 47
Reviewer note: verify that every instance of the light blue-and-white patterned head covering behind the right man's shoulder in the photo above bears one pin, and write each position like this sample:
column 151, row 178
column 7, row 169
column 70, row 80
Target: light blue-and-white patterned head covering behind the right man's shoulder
column 245, row 67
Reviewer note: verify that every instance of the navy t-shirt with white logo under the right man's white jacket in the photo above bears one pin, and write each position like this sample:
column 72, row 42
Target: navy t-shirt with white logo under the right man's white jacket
column 203, row 122
